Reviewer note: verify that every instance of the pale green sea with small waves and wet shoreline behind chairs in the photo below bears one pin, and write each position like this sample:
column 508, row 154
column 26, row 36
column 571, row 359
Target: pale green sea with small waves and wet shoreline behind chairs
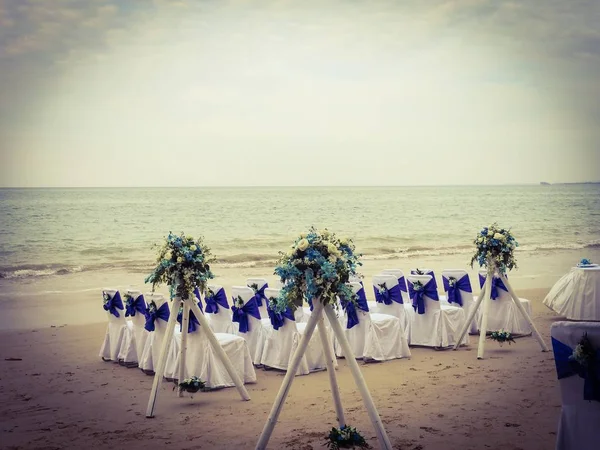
column 71, row 242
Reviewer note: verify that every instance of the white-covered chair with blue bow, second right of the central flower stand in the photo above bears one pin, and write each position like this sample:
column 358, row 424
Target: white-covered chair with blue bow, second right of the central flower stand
column 389, row 300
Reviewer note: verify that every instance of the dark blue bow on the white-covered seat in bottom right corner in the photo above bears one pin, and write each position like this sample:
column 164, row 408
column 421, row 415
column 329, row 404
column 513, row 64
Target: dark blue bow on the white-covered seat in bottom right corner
column 566, row 367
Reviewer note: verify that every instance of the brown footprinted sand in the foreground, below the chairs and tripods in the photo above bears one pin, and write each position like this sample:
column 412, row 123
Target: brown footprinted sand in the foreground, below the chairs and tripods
column 57, row 393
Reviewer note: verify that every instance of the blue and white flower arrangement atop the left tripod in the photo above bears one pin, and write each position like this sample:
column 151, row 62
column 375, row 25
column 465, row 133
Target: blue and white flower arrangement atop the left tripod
column 183, row 264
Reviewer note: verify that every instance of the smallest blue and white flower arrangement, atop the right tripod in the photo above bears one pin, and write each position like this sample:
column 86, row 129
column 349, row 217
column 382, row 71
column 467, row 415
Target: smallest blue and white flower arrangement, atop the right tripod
column 495, row 249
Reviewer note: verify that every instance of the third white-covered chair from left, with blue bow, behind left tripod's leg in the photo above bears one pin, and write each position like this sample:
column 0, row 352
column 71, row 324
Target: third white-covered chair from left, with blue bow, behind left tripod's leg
column 156, row 324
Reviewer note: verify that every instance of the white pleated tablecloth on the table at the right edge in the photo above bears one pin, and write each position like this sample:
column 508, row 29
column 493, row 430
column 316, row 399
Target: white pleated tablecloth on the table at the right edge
column 576, row 295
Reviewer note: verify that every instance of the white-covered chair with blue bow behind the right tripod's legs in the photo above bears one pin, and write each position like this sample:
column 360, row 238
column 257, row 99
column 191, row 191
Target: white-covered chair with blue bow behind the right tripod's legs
column 503, row 314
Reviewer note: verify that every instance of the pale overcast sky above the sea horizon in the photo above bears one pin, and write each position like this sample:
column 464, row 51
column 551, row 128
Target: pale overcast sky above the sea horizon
column 269, row 93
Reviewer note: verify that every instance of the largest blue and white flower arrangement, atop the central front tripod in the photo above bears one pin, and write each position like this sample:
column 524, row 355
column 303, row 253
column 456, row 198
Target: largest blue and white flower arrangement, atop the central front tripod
column 317, row 266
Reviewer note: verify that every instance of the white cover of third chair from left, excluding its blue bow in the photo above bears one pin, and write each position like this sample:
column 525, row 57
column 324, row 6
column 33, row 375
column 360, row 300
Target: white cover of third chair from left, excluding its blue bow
column 152, row 347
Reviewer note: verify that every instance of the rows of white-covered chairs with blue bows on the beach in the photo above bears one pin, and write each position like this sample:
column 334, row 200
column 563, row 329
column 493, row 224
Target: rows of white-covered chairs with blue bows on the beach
column 403, row 313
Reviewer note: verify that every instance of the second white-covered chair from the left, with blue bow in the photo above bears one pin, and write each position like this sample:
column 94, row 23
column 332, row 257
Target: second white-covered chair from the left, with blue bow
column 135, row 335
